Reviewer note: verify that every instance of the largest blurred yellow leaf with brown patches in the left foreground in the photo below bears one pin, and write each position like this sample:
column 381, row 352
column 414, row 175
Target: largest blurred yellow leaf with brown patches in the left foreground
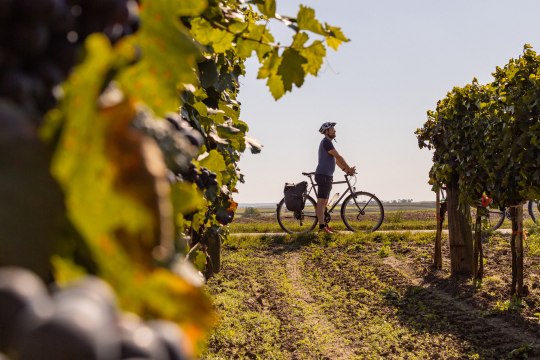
column 117, row 195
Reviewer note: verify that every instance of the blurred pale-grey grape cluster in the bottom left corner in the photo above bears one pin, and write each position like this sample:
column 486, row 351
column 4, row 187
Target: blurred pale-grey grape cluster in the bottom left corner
column 80, row 321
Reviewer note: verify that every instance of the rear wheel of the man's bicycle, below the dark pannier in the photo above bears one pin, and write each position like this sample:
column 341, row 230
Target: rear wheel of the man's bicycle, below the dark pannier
column 297, row 222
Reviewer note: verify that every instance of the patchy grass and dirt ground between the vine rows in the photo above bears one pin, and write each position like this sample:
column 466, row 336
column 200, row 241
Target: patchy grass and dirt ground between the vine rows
column 370, row 297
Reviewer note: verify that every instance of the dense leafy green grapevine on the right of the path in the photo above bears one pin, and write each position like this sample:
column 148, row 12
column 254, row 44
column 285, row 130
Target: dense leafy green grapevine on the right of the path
column 484, row 139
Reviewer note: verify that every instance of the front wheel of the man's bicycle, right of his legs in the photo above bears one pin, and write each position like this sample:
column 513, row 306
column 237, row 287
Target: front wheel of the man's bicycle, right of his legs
column 362, row 211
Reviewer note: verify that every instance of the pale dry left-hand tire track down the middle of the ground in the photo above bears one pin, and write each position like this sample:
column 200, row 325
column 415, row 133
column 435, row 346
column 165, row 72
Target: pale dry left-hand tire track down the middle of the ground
column 331, row 343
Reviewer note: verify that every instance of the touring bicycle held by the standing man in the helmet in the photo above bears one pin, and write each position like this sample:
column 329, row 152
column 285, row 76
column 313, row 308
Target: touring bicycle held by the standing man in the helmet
column 360, row 210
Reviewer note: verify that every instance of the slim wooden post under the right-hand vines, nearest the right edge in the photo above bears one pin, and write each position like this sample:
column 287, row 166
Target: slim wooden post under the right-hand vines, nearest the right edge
column 516, row 243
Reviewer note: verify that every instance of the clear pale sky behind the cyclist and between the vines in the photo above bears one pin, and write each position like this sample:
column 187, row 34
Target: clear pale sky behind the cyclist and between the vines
column 404, row 56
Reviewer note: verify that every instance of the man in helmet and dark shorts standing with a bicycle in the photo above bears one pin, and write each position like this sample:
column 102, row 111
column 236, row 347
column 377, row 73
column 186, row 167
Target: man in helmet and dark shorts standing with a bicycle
column 328, row 158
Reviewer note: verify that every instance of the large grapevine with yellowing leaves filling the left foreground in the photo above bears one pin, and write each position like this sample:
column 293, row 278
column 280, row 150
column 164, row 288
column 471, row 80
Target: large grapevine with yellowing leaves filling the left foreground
column 120, row 133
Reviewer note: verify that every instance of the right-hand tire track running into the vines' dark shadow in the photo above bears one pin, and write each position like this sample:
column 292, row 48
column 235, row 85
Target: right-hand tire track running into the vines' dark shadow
column 489, row 332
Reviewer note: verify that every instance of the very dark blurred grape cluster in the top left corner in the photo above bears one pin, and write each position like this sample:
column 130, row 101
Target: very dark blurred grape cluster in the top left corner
column 40, row 41
